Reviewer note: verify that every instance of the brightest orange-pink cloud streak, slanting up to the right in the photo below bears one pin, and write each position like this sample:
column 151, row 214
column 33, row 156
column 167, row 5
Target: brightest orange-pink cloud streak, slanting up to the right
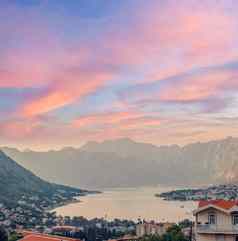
column 69, row 88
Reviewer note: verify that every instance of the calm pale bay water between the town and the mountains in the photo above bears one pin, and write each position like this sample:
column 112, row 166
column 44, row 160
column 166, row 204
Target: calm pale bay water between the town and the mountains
column 129, row 203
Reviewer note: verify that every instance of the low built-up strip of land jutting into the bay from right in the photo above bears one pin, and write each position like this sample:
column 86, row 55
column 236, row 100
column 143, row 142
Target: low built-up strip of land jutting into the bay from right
column 226, row 192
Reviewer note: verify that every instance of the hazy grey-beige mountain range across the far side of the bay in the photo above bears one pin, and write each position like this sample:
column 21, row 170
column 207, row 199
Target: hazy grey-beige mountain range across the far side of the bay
column 124, row 162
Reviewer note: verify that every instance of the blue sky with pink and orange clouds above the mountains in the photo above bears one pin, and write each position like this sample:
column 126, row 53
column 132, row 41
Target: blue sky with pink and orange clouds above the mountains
column 156, row 71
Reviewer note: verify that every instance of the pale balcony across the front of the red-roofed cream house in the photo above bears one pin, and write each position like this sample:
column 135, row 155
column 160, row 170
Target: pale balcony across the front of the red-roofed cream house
column 216, row 229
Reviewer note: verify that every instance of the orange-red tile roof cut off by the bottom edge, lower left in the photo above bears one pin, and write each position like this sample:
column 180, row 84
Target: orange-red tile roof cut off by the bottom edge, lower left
column 43, row 237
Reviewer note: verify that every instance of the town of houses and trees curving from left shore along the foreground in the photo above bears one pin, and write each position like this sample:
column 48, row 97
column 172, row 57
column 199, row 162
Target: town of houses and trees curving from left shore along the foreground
column 33, row 215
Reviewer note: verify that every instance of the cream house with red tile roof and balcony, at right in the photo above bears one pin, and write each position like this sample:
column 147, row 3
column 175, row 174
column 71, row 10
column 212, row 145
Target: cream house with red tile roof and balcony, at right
column 216, row 220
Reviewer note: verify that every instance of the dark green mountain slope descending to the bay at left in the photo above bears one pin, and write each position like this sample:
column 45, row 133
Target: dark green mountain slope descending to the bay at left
column 16, row 182
